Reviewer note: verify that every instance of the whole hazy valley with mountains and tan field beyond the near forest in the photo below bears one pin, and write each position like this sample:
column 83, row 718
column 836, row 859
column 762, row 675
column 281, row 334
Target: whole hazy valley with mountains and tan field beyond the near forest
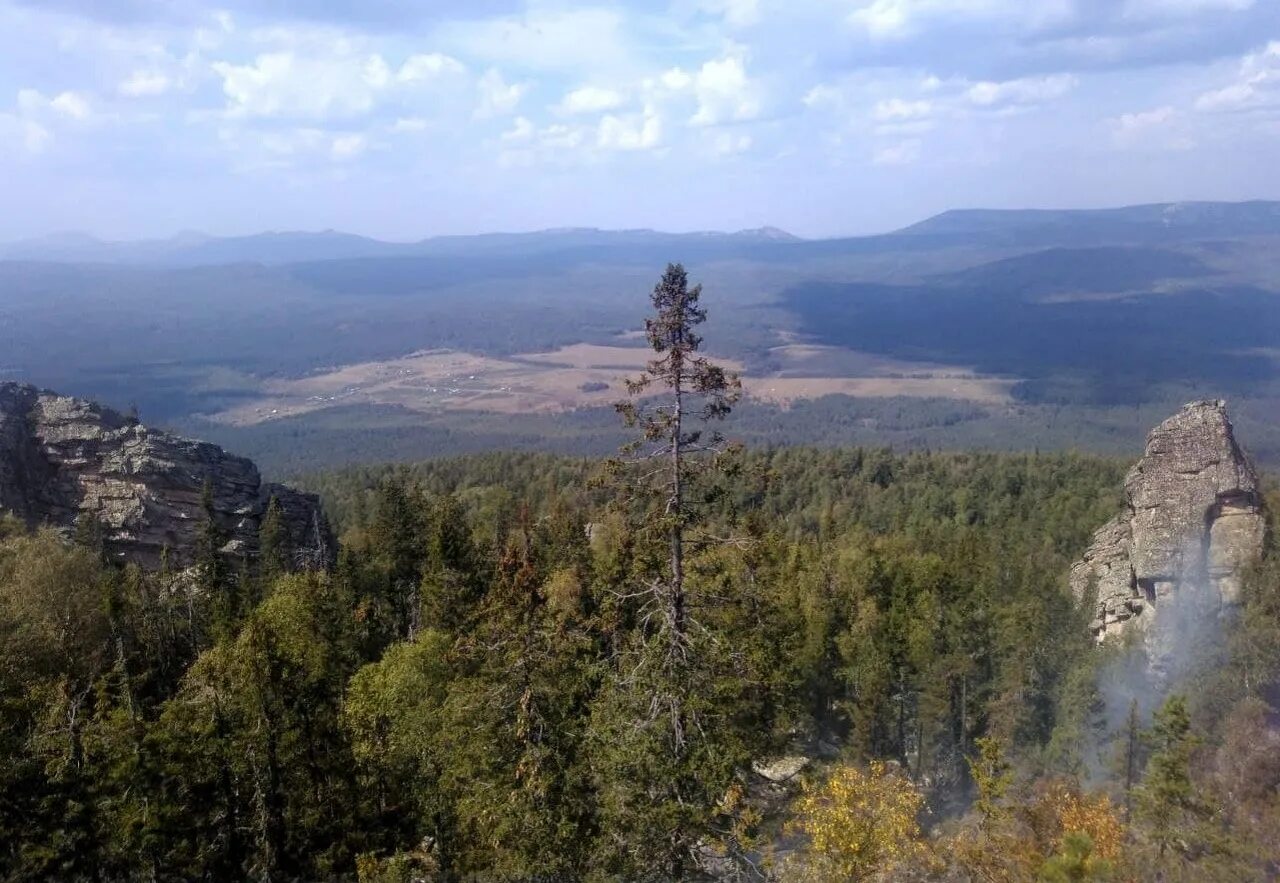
column 1004, row 328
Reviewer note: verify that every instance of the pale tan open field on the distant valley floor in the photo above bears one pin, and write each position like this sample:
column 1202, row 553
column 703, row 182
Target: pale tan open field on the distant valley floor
column 586, row 376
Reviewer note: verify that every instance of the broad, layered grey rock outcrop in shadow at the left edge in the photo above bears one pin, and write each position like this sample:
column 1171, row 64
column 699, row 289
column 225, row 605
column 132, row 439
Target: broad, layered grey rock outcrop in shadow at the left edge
column 65, row 460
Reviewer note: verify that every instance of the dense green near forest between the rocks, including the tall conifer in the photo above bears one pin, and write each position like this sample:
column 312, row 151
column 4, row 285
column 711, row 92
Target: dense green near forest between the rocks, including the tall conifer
column 506, row 678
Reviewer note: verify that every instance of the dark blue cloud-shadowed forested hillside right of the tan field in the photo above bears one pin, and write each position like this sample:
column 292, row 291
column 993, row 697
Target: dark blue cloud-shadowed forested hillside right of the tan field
column 1095, row 326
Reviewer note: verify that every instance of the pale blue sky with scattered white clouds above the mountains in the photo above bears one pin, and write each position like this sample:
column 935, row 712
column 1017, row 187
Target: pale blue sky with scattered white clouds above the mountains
column 144, row 118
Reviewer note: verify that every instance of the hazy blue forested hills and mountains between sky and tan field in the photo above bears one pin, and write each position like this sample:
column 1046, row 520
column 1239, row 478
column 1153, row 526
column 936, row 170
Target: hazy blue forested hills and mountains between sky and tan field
column 1077, row 309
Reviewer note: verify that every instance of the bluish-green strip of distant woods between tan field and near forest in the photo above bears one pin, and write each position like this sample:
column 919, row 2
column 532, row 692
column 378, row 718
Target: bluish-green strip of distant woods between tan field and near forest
column 340, row 437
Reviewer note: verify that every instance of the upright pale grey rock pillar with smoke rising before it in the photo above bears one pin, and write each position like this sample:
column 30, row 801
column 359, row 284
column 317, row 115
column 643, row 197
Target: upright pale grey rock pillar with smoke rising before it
column 1191, row 525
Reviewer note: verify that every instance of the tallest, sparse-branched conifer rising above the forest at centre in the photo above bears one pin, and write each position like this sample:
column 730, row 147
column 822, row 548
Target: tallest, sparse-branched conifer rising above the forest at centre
column 666, row 726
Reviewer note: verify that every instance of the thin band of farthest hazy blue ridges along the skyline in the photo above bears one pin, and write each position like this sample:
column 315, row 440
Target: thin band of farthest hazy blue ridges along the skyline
column 1002, row 230
